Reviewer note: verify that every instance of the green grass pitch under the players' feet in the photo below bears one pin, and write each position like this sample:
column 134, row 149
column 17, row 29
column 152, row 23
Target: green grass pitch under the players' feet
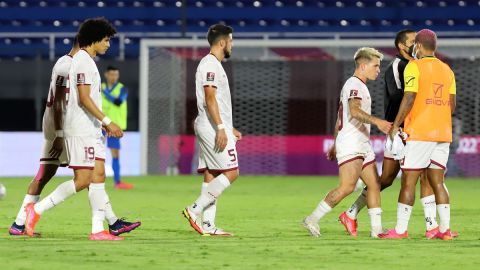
column 265, row 214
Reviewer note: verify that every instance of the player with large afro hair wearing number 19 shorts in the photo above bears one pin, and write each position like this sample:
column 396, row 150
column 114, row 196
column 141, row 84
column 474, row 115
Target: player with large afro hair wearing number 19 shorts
column 82, row 128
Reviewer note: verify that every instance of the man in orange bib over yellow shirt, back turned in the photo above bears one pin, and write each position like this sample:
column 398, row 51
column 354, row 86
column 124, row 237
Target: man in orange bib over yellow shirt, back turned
column 426, row 109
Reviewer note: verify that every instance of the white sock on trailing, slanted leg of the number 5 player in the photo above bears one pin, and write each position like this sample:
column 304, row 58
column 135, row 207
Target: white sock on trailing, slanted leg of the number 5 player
column 212, row 192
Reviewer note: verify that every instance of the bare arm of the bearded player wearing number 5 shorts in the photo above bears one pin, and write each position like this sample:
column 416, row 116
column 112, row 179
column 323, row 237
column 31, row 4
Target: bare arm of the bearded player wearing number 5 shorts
column 214, row 112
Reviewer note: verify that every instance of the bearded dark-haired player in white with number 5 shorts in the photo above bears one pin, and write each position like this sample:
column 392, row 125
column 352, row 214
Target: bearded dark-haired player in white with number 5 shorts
column 216, row 136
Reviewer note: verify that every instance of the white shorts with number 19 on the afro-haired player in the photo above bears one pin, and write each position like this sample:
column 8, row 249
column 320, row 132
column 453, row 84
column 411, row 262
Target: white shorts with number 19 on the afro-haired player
column 83, row 151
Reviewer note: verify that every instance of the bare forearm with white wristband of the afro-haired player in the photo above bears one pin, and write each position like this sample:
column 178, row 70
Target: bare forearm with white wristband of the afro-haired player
column 87, row 102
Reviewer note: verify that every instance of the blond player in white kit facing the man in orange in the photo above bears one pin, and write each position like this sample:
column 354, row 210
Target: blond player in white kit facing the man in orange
column 352, row 146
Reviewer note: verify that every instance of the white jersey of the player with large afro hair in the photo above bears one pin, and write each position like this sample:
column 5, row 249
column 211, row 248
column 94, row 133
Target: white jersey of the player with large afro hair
column 78, row 121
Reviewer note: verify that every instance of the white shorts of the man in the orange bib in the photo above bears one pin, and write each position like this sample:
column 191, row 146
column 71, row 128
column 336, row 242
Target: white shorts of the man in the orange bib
column 420, row 155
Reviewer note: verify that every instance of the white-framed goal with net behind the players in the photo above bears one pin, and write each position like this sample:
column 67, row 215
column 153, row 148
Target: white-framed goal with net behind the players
column 285, row 100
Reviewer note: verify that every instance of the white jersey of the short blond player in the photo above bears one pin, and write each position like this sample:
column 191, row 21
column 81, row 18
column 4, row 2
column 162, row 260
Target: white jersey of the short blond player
column 351, row 132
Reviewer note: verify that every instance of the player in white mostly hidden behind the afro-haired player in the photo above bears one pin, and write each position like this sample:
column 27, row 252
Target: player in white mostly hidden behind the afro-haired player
column 53, row 154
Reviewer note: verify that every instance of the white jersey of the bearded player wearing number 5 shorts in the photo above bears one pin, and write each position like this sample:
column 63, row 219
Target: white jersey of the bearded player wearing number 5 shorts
column 210, row 72
